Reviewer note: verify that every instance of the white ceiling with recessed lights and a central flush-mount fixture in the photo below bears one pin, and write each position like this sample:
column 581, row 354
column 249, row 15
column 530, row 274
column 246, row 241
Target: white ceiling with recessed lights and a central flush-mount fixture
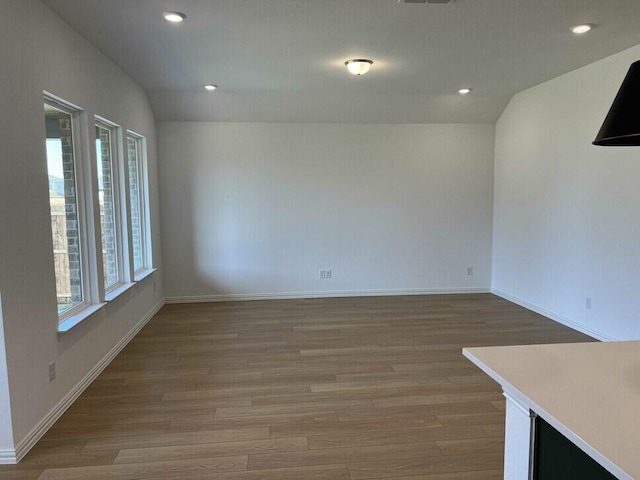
column 283, row 60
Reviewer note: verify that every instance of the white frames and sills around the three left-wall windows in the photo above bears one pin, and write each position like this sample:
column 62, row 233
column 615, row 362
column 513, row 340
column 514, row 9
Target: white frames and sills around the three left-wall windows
column 87, row 164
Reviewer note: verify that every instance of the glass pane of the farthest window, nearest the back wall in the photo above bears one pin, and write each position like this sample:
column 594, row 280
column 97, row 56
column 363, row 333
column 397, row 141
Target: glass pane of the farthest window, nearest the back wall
column 136, row 195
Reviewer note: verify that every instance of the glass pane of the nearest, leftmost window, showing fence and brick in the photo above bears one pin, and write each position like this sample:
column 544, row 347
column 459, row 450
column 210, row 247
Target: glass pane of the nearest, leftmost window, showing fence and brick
column 64, row 208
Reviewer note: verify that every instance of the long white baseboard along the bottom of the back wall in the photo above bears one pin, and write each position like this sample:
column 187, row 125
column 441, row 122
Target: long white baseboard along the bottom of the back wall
column 241, row 297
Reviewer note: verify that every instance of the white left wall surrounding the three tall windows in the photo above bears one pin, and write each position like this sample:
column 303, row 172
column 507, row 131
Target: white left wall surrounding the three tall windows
column 40, row 52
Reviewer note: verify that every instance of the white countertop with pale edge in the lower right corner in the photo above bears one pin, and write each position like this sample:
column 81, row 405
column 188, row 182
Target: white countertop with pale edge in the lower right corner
column 590, row 392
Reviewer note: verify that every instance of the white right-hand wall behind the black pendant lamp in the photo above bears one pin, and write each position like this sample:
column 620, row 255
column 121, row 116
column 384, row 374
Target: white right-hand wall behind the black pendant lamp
column 567, row 214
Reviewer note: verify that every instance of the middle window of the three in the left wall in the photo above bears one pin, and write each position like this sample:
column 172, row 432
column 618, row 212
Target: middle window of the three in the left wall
column 107, row 198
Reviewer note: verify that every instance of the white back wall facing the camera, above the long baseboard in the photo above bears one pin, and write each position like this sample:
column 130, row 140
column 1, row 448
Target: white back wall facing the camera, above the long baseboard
column 254, row 209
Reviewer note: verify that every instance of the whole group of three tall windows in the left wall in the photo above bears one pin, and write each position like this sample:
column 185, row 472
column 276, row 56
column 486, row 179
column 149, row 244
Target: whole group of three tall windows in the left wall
column 99, row 245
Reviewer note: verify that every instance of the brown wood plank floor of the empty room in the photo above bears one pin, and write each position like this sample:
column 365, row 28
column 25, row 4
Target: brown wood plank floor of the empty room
column 351, row 388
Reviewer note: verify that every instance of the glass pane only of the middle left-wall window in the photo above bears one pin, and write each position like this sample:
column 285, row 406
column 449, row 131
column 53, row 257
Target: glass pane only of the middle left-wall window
column 107, row 207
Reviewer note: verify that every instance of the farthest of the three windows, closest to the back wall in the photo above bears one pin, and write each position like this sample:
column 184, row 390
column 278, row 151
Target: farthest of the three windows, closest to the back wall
column 137, row 196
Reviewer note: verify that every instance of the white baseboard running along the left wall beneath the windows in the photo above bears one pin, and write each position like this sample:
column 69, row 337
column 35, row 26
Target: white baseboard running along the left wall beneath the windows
column 27, row 443
